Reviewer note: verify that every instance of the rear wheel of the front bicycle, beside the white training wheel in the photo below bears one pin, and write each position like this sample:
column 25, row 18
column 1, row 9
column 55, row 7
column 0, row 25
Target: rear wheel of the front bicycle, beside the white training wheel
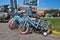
column 46, row 28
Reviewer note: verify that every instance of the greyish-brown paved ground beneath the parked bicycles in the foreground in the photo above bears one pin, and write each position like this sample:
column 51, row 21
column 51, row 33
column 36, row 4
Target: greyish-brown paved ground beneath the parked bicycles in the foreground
column 7, row 34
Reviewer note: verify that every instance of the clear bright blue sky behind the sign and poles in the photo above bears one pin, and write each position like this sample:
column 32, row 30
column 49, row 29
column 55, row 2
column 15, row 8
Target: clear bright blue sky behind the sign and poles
column 42, row 4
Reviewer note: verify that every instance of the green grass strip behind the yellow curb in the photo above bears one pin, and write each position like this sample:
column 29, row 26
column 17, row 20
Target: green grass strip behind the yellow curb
column 55, row 22
